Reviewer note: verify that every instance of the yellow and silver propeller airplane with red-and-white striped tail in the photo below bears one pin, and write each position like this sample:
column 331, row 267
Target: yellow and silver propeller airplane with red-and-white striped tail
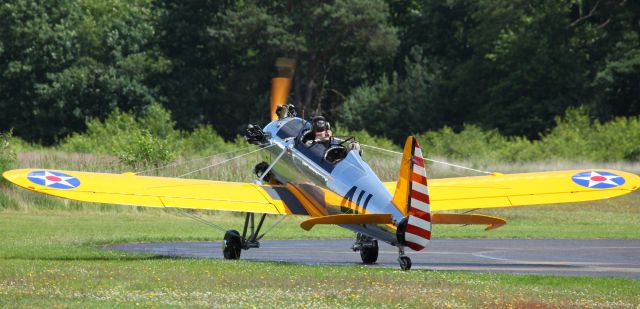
column 329, row 182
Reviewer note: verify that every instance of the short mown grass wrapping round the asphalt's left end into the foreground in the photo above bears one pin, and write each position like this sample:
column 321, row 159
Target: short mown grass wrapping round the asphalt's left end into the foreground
column 52, row 259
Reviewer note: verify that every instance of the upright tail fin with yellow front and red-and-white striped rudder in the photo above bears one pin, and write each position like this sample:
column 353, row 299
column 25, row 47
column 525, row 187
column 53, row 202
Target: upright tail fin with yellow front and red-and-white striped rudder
column 412, row 198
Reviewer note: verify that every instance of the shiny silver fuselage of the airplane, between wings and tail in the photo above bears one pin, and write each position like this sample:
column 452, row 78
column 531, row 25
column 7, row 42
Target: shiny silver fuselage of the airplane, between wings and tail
column 331, row 186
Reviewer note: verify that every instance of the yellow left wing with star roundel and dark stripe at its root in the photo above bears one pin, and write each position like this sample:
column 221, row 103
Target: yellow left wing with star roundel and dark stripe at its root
column 131, row 189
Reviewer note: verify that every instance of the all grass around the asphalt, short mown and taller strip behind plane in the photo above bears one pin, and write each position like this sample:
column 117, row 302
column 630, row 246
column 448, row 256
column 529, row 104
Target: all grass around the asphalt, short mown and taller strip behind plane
column 50, row 256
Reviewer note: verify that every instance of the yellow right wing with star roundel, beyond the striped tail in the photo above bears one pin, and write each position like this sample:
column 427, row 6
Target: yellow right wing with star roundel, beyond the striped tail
column 503, row 190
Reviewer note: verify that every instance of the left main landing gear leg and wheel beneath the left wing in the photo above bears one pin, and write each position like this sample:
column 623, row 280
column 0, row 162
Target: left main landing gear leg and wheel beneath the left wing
column 234, row 243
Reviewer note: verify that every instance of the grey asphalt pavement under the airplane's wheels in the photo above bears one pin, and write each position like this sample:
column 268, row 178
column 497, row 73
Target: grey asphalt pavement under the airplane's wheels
column 567, row 257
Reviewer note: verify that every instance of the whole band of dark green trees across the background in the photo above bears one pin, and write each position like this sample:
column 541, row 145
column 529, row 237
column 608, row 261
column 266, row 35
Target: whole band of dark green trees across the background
column 387, row 67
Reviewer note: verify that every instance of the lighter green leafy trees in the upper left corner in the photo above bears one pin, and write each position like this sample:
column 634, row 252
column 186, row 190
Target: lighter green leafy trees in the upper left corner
column 66, row 60
